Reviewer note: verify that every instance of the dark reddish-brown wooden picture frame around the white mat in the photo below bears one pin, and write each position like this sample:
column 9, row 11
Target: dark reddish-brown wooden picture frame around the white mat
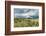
column 8, row 17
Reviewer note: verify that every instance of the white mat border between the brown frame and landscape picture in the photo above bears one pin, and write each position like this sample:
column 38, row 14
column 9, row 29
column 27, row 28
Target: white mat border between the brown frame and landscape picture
column 26, row 28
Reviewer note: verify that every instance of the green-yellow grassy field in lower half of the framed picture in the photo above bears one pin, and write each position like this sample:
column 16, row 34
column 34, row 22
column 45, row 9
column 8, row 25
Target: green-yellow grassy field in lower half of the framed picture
column 25, row 22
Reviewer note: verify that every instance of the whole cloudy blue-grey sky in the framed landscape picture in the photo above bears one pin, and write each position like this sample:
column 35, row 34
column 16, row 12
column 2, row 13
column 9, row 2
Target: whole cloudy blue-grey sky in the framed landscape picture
column 25, row 12
